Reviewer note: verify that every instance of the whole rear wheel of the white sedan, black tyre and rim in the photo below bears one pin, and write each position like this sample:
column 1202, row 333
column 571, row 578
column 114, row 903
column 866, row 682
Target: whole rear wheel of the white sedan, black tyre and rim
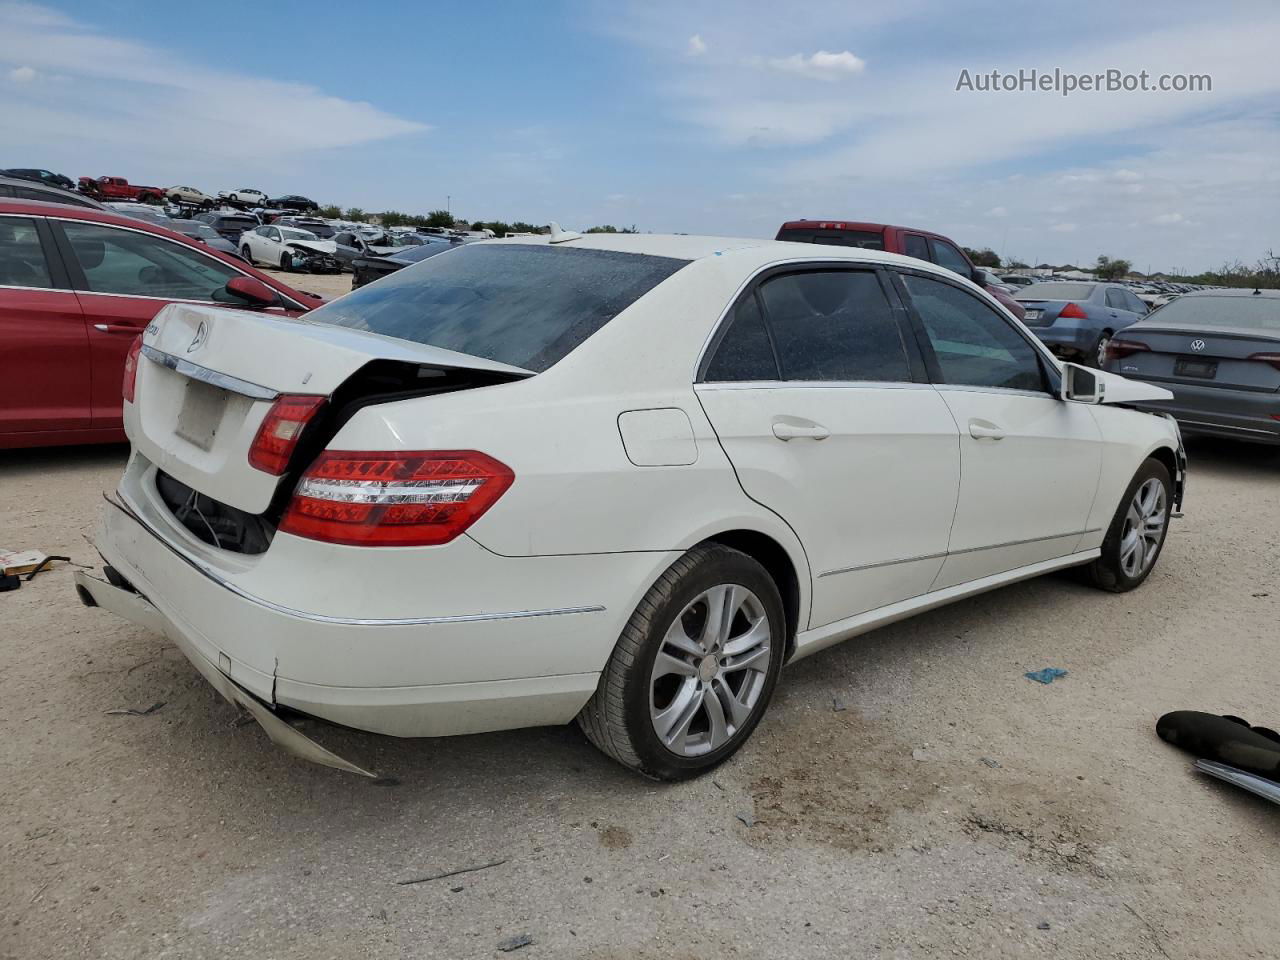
column 694, row 669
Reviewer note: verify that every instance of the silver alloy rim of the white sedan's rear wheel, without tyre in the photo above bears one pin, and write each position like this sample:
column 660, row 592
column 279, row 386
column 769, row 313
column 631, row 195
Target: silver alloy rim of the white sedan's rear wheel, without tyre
column 711, row 670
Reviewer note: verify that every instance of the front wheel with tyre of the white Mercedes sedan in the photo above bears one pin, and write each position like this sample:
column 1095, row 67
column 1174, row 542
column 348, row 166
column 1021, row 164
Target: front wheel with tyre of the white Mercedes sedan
column 1137, row 533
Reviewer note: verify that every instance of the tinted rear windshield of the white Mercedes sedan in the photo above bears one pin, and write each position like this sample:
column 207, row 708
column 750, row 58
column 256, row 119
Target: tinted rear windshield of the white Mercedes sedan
column 515, row 304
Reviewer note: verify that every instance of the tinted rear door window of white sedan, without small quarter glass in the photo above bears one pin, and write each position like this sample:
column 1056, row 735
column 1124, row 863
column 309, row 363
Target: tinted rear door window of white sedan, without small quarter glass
column 835, row 326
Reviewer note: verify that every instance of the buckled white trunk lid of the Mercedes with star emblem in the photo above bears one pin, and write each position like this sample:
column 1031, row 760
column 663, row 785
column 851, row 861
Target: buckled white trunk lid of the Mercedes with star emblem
column 208, row 378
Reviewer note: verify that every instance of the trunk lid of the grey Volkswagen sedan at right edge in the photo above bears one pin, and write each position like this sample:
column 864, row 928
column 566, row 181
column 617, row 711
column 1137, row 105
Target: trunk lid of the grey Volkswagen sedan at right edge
column 1203, row 356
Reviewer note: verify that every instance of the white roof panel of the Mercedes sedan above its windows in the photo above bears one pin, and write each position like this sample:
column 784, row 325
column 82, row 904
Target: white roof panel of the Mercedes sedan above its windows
column 749, row 253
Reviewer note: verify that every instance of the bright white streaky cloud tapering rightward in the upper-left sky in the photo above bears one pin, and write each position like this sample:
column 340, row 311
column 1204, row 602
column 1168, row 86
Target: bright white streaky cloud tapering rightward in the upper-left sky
column 140, row 102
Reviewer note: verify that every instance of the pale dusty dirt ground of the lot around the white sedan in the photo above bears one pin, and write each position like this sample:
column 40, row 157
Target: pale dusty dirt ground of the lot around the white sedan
column 909, row 794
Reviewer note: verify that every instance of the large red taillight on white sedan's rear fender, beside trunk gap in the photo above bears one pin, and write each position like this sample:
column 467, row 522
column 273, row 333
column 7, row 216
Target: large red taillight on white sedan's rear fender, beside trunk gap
column 395, row 500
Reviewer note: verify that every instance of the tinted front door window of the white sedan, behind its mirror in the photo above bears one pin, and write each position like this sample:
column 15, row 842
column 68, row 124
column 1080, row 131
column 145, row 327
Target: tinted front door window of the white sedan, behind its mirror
column 975, row 346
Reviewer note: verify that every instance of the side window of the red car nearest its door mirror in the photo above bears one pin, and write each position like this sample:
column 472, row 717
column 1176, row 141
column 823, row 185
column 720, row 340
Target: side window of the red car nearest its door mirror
column 140, row 266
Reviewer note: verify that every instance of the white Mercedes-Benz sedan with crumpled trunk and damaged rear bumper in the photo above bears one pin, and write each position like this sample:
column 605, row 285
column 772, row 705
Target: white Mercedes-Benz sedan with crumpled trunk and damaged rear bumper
column 616, row 479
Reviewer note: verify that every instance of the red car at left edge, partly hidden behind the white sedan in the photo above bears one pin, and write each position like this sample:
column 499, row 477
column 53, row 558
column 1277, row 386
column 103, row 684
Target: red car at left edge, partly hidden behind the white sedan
column 77, row 287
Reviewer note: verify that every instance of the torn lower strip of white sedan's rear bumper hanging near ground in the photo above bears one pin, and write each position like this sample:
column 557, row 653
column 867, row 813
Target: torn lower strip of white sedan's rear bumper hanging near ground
column 135, row 607
